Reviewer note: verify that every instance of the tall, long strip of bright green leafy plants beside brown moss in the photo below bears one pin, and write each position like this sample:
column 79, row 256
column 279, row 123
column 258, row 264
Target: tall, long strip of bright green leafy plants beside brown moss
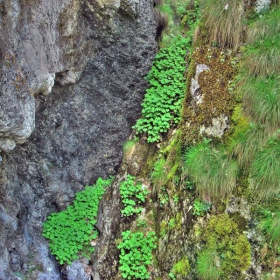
column 163, row 98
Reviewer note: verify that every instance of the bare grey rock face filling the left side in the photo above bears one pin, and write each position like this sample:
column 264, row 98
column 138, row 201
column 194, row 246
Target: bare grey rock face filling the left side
column 71, row 71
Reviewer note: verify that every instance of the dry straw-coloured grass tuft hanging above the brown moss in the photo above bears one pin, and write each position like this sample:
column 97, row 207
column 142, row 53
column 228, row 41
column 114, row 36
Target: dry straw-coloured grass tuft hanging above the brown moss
column 224, row 22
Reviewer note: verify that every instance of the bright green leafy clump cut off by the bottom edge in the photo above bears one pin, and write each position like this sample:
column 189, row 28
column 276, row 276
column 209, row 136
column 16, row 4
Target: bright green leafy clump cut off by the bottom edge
column 136, row 254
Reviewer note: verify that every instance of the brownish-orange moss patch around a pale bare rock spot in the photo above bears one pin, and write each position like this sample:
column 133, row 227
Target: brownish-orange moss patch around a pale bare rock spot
column 217, row 100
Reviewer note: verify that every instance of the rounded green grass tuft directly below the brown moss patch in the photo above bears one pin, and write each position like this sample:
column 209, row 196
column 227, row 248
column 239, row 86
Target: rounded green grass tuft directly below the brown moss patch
column 212, row 170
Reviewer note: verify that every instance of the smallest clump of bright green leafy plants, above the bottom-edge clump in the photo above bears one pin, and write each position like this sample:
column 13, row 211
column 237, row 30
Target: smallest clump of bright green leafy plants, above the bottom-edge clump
column 132, row 195
